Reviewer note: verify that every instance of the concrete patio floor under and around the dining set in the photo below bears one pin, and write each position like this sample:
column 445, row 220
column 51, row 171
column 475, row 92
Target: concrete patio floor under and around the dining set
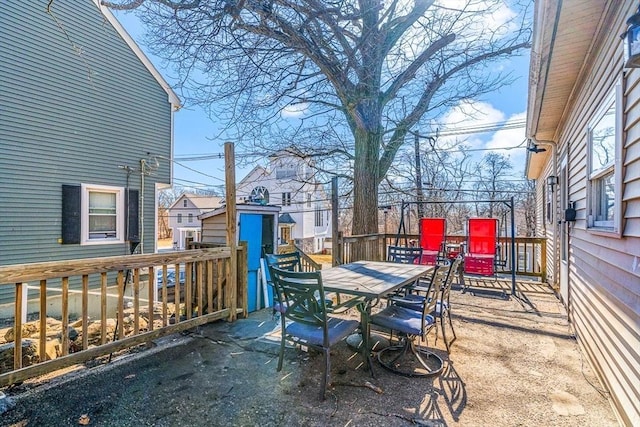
column 515, row 363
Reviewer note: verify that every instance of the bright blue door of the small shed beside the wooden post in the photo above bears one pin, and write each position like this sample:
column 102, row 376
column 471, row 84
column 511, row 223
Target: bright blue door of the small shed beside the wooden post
column 251, row 232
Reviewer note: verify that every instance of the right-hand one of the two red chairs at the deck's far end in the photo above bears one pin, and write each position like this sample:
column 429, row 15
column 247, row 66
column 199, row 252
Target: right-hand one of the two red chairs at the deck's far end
column 482, row 244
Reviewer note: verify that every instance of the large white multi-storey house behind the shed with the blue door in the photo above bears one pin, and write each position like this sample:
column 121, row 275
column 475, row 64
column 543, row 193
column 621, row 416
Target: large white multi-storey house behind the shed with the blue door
column 288, row 181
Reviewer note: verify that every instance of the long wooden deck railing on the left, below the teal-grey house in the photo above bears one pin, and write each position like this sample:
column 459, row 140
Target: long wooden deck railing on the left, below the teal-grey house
column 86, row 297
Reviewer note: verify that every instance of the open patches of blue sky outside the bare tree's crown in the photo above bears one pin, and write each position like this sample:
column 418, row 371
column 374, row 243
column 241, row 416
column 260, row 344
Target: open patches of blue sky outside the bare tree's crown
column 194, row 131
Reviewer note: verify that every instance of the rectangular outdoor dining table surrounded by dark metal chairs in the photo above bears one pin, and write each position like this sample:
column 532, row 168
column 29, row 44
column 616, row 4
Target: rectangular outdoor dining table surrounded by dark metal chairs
column 370, row 281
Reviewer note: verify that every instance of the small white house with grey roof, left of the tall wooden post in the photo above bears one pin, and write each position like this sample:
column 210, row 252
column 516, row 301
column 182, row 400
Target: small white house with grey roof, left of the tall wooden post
column 183, row 217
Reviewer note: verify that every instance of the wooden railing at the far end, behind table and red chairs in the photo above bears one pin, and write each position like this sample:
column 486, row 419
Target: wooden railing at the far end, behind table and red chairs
column 530, row 251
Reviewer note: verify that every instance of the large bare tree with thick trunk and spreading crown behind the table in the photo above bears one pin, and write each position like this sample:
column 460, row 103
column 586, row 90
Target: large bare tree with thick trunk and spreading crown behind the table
column 360, row 73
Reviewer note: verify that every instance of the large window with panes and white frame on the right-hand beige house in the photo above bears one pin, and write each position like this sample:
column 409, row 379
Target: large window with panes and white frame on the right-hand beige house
column 604, row 135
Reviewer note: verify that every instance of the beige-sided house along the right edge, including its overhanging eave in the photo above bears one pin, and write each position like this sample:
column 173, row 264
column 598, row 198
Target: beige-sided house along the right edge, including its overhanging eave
column 584, row 111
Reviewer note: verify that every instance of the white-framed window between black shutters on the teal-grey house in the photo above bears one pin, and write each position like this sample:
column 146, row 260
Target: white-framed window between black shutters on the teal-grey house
column 103, row 214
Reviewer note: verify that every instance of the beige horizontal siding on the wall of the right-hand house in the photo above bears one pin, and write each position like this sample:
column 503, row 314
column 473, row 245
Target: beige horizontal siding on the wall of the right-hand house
column 604, row 270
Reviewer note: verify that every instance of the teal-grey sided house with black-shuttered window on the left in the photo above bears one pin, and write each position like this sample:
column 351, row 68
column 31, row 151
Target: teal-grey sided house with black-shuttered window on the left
column 86, row 134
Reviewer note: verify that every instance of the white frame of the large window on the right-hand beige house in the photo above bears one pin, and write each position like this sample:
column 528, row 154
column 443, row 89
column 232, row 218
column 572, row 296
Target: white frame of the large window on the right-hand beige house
column 595, row 177
